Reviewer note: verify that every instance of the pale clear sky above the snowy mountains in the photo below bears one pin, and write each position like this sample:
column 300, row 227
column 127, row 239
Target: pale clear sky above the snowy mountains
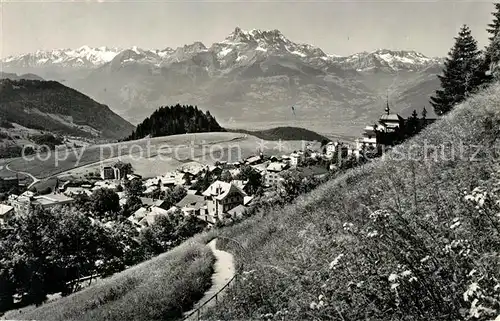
column 337, row 27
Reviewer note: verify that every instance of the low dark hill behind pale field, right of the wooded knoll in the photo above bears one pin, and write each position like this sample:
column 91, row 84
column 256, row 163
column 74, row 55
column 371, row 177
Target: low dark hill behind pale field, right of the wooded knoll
column 284, row 133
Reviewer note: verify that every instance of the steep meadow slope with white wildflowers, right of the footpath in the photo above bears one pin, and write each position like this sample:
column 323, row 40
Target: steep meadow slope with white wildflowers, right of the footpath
column 402, row 238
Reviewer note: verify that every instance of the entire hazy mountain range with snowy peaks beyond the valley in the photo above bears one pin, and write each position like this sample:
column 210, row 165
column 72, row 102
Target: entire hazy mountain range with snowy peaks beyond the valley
column 250, row 79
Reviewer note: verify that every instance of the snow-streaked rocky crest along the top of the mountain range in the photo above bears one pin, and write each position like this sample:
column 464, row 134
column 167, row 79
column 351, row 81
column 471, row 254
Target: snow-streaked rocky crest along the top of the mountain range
column 239, row 47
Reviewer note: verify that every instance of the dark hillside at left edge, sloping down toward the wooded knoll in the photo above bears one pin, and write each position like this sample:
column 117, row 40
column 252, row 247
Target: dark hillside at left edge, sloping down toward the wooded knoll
column 51, row 106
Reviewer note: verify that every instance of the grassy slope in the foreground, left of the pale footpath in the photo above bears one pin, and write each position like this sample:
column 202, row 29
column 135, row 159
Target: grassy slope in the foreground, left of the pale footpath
column 158, row 289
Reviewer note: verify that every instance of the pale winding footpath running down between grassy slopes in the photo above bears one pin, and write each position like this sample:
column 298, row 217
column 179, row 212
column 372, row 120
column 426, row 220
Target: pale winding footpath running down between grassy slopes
column 224, row 271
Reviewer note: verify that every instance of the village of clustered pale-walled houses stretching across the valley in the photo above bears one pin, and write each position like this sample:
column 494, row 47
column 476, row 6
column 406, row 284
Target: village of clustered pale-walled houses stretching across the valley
column 219, row 192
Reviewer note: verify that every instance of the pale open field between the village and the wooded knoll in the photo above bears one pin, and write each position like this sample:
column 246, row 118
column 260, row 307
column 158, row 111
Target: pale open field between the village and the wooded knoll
column 155, row 156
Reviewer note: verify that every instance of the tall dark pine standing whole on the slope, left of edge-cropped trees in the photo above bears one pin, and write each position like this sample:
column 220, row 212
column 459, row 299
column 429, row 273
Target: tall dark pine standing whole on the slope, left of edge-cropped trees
column 461, row 74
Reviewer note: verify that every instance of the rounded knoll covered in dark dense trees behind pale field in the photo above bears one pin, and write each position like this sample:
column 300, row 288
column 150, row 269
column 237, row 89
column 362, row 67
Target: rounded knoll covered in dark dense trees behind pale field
column 175, row 120
